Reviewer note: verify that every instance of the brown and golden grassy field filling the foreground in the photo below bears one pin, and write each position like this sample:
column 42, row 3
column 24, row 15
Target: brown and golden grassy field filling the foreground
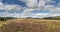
column 30, row 25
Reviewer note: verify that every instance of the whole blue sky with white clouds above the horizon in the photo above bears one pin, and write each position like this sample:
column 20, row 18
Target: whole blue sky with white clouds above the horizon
column 29, row 8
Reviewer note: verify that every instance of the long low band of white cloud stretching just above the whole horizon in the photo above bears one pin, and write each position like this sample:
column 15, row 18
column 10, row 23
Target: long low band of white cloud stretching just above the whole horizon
column 37, row 15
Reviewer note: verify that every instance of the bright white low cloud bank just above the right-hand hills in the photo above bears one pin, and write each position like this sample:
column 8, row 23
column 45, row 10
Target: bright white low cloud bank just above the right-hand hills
column 43, row 15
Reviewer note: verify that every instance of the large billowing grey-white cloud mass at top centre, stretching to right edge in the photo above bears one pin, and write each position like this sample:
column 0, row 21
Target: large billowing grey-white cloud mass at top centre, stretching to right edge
column 34, row 5
